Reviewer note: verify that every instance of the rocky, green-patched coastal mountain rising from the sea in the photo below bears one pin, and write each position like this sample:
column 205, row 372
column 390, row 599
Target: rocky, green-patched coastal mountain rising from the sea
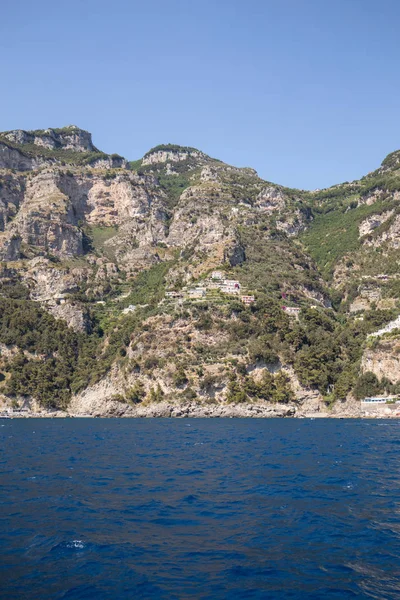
column 180, row 283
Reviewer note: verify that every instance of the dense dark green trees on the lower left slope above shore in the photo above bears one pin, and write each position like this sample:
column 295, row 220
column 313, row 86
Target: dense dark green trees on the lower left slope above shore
column 51, row 358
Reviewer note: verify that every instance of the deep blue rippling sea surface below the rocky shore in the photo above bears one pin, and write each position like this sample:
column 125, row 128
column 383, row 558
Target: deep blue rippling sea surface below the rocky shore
column 197, row 508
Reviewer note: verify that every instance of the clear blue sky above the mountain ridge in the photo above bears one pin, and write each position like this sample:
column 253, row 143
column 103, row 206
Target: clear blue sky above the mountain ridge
column 305, row 91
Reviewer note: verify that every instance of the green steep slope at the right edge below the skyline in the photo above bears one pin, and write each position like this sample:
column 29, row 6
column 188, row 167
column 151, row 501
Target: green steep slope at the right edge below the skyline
column 354, row 236
